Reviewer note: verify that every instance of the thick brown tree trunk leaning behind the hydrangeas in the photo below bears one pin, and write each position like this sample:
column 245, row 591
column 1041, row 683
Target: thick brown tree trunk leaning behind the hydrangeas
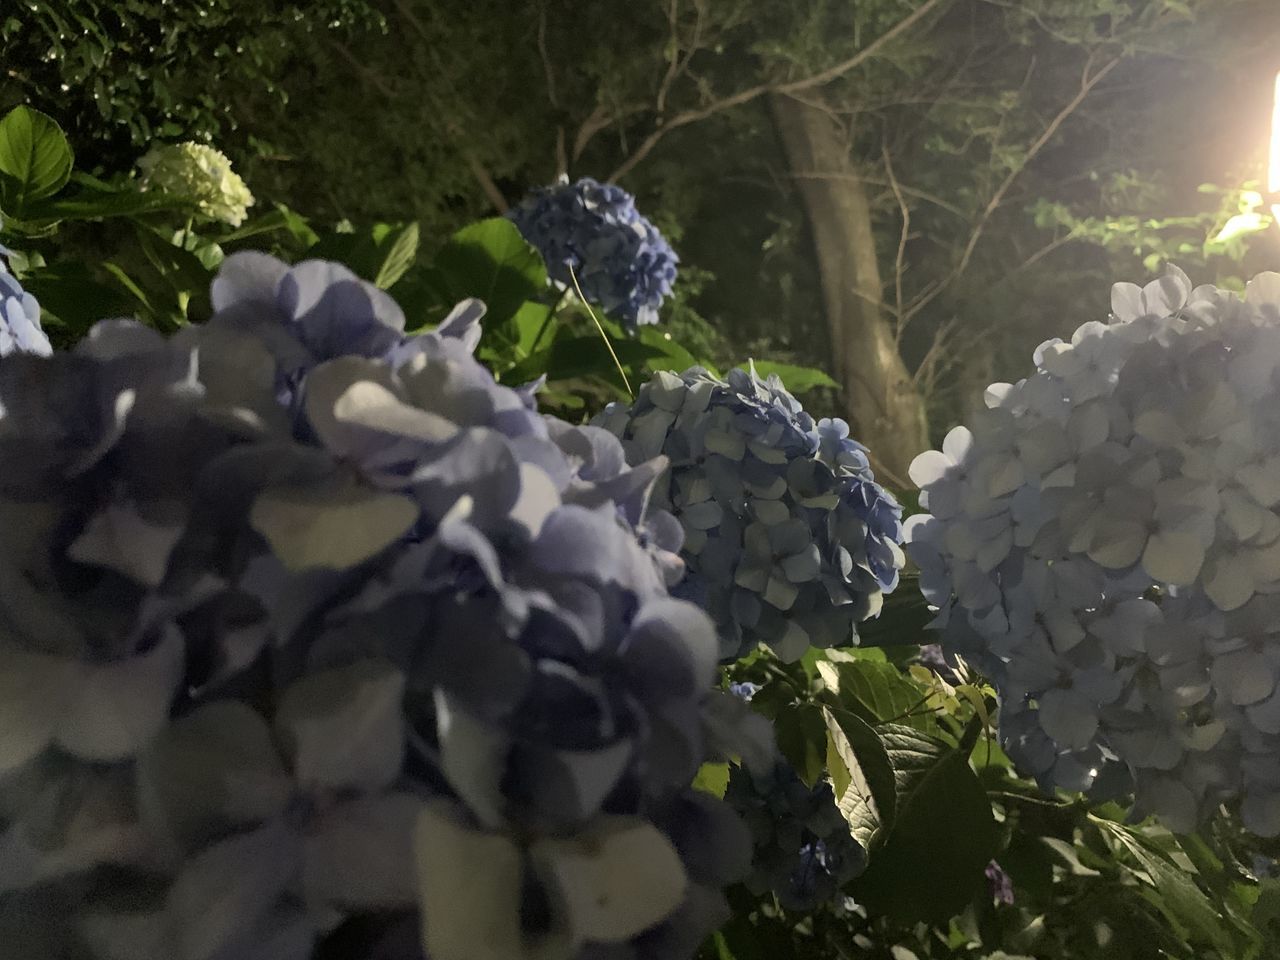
column 884, row 406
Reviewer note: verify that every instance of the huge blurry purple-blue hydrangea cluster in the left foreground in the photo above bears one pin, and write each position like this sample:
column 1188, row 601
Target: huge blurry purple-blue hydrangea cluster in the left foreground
column 313, row 634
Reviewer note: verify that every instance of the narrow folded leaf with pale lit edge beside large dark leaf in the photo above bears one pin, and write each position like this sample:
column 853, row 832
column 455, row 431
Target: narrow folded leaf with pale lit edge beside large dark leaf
column 865, row 788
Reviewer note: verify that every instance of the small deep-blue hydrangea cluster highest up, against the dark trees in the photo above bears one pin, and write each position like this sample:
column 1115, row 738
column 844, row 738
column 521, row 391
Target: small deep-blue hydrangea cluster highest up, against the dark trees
column 595, row 230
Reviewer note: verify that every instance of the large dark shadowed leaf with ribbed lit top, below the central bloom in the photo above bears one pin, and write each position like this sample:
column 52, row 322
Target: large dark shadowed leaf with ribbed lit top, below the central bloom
column 931, row 862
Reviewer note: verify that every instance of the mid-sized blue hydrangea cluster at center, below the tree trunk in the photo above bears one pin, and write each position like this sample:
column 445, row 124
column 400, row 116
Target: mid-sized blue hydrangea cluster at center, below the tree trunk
column 789, row 540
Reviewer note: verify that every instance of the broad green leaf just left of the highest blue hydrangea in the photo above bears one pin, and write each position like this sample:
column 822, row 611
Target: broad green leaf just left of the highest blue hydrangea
column 492, row 262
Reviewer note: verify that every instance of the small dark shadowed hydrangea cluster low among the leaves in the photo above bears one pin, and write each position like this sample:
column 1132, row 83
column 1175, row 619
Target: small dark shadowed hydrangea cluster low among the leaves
column 803, row 851
